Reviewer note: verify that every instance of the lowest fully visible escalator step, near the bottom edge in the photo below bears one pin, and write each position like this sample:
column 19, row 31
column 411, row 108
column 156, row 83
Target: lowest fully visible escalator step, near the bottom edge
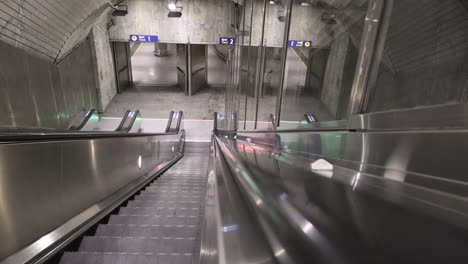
column 137, row 245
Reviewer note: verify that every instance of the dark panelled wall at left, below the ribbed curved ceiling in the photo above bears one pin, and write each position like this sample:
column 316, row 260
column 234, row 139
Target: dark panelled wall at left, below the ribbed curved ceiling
column 35, row 93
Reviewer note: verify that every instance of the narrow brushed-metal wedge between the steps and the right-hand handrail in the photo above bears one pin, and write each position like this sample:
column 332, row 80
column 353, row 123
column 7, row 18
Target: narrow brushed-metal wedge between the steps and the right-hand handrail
column 229, row 234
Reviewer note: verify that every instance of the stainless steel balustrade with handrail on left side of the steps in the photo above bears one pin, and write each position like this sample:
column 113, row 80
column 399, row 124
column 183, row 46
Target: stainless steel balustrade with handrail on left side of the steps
column 56, row 185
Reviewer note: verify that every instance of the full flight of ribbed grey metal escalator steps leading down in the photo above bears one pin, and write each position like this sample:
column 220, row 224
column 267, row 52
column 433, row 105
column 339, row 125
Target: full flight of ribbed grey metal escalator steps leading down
column 158, row 225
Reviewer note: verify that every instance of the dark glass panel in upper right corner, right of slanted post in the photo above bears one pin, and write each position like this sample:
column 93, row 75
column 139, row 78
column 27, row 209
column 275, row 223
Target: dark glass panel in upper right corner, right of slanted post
column 425, row 57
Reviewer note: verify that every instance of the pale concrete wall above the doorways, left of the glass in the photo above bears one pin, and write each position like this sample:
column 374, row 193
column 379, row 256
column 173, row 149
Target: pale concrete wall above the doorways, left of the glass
column 202, row 21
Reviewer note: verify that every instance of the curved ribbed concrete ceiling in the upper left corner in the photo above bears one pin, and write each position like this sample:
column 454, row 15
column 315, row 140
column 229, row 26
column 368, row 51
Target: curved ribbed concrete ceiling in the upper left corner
column 44, row 27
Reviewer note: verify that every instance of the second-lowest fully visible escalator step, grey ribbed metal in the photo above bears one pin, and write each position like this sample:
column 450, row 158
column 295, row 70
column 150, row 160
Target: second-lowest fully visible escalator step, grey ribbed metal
column 147, row 230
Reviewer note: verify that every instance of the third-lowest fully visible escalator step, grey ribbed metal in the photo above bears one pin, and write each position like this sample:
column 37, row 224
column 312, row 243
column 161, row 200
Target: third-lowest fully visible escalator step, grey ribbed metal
column 153, row 220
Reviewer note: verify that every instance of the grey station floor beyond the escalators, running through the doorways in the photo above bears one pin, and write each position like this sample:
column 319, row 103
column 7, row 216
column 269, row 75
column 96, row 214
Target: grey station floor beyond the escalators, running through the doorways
column 155, row 92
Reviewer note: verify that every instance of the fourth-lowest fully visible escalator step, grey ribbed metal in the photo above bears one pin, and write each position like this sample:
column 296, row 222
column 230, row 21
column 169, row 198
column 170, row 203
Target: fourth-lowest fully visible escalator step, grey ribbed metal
column 192, row 211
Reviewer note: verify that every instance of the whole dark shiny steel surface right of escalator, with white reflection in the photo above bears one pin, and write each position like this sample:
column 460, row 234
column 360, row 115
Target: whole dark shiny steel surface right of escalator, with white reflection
column 391, row 197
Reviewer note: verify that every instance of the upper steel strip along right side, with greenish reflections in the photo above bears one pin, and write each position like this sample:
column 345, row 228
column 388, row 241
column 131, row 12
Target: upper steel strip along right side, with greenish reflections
column 384, row 153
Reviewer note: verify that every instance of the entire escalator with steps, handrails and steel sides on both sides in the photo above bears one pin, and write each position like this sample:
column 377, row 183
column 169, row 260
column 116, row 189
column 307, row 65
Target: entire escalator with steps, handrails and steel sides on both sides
column 246, row 197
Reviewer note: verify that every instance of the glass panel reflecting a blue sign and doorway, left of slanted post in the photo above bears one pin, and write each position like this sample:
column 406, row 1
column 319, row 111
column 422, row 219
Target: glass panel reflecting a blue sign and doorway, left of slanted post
column 324, row 41
